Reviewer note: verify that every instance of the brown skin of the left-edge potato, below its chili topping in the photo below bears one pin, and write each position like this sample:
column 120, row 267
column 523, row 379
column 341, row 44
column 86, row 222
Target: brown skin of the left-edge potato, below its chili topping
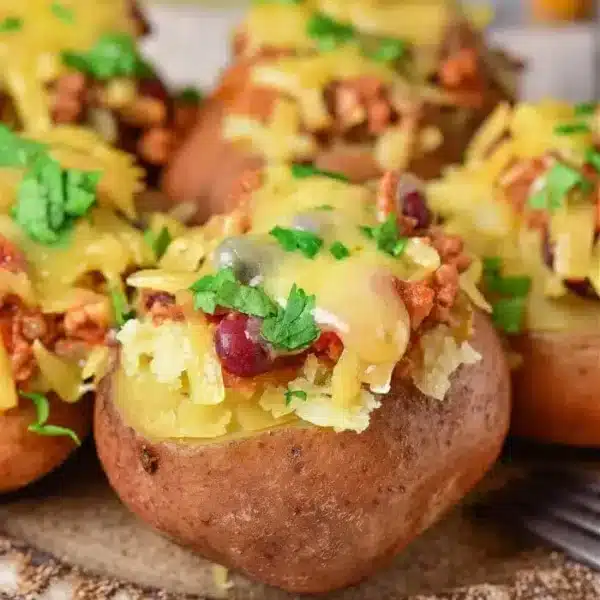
column 26, row 457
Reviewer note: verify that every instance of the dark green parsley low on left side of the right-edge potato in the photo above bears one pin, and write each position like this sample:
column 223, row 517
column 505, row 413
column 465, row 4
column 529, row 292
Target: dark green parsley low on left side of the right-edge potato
column 510, row 293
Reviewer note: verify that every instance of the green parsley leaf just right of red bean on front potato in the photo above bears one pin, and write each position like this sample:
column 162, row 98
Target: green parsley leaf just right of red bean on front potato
column 293, row 327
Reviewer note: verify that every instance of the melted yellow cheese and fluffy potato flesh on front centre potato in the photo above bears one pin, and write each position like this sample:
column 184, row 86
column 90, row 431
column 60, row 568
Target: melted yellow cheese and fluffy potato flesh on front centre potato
column 175, row 362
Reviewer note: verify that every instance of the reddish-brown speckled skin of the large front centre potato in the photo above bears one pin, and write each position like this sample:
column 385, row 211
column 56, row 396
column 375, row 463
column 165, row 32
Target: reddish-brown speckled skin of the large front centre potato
column 309, row 510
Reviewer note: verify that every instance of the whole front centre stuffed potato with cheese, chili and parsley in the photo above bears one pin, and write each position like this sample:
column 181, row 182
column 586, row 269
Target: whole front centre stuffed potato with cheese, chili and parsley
column 312, row 390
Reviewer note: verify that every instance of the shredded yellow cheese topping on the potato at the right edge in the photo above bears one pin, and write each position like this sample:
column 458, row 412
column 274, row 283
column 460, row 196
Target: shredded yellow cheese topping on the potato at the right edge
column 479, row 203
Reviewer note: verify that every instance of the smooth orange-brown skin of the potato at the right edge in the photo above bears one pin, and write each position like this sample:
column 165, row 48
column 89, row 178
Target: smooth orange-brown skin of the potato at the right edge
column 557, row 388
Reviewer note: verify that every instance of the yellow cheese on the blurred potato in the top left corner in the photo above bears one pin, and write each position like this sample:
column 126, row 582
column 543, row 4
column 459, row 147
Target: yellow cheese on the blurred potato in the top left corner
column 30, row 54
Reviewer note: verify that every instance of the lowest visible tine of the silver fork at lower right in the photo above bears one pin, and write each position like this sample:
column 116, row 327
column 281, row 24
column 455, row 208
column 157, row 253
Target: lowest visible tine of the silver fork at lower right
column 579, row 546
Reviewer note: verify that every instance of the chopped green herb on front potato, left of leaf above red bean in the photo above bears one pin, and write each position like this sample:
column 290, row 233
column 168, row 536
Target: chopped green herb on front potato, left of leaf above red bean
column 223, row 290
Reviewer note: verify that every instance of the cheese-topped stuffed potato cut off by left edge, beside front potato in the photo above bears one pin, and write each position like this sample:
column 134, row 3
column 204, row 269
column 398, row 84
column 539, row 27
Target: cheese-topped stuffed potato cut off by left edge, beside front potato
column 63, row 254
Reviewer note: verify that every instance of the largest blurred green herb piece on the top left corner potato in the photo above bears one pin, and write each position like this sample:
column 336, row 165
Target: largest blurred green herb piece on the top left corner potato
column 114, row 55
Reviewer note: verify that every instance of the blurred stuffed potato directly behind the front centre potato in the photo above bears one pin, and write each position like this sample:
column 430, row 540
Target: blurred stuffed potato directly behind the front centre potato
column 351, row 87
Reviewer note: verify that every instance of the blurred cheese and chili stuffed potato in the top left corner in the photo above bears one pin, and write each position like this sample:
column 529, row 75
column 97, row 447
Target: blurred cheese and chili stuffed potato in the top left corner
column 62, row 63
